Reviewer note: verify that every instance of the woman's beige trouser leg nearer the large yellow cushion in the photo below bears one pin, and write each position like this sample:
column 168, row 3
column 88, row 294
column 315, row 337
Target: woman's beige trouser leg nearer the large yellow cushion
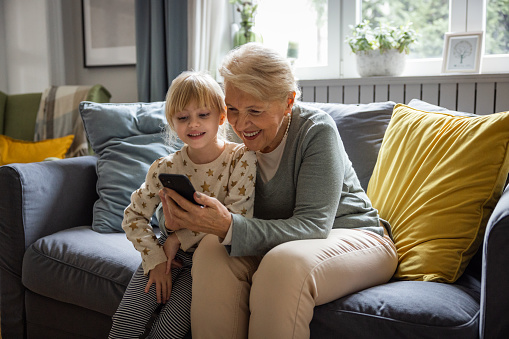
column 295, row 277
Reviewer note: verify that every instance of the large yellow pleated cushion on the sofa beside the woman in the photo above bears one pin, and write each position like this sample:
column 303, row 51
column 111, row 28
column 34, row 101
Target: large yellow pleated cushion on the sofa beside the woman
column 437, row 180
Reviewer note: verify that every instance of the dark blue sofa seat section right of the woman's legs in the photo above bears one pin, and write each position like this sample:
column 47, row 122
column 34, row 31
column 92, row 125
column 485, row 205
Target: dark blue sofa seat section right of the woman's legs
column 401, row 309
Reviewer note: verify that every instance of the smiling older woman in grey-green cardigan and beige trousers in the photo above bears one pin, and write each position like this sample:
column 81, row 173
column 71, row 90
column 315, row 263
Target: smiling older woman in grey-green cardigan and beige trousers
column 314, row 237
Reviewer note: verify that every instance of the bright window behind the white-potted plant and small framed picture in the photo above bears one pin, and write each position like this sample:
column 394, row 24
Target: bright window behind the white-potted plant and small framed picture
column 440, row 17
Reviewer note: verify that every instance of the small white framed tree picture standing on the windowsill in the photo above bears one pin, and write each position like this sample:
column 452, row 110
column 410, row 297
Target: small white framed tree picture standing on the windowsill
column 462, row 52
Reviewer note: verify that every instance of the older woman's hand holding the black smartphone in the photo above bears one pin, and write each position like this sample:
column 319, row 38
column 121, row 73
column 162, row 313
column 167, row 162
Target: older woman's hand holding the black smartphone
column 212, row 218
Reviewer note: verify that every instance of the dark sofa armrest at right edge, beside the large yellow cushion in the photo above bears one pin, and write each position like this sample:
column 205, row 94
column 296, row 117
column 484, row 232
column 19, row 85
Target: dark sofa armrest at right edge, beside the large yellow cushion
column 495, row 273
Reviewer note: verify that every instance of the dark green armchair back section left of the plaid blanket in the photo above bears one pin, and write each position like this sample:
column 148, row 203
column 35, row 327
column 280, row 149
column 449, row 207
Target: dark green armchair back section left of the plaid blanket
column 20, row 113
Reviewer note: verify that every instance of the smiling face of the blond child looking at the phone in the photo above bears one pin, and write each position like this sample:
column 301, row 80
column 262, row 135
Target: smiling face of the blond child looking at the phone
column 197, row 127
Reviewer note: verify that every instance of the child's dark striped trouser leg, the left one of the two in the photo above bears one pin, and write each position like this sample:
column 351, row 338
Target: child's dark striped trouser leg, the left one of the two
column 135, row 309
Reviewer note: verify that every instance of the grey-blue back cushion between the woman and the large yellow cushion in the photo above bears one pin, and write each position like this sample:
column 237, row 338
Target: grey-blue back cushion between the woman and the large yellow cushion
column 362, row 129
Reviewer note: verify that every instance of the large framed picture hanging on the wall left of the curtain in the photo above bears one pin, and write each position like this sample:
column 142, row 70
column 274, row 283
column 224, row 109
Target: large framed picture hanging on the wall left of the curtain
column 109, row 37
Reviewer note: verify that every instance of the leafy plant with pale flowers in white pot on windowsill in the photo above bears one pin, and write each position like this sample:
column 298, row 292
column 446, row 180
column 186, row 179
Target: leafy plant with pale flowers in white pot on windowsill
column 381, row 50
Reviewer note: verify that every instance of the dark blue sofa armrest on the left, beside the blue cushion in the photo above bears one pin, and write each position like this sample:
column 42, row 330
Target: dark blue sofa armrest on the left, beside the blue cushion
column 38, row 199
